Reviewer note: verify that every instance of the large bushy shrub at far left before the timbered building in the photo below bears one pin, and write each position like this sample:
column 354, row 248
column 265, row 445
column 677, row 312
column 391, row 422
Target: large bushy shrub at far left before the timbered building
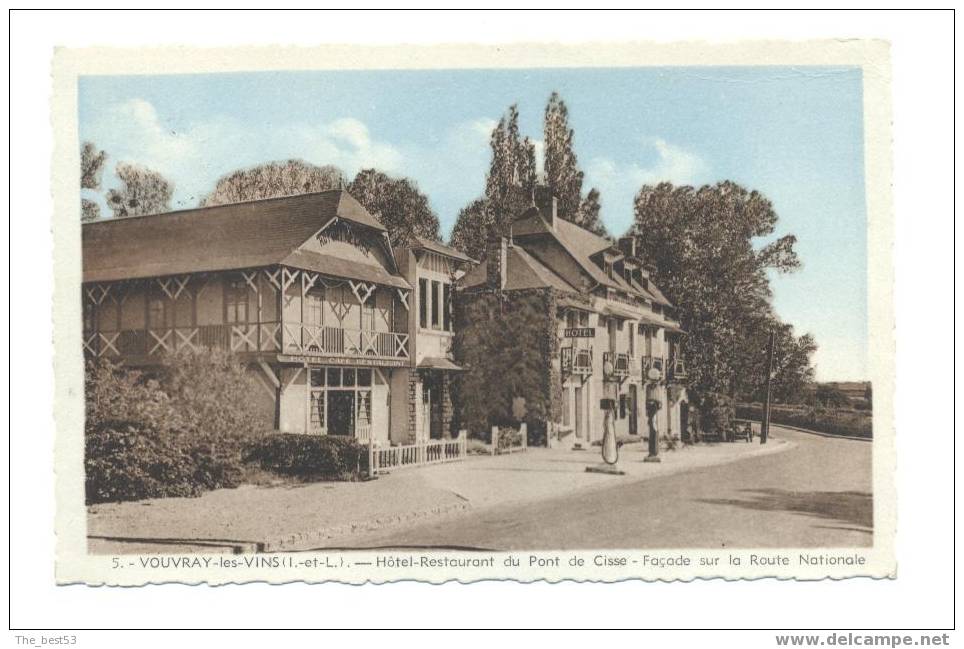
column 178, row 431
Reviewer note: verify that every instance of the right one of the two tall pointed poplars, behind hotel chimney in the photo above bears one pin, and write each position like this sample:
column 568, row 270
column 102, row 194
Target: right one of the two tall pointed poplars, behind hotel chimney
column 563, row 176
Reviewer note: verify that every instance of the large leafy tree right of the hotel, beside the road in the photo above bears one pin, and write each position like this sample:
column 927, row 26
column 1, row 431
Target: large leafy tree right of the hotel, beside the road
column 701, row 244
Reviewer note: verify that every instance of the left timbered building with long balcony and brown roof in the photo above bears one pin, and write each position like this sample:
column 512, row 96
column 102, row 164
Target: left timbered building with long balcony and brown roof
column 307, row 290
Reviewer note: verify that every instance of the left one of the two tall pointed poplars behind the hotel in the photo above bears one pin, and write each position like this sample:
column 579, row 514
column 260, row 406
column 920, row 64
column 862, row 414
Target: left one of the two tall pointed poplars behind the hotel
column 509, row 187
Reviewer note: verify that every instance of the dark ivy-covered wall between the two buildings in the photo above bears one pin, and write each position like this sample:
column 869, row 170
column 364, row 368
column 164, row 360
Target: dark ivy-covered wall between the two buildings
column 507, row 341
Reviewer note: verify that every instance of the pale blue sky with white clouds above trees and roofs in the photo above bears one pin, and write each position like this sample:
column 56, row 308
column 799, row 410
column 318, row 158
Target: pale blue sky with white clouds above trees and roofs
column 793, row 133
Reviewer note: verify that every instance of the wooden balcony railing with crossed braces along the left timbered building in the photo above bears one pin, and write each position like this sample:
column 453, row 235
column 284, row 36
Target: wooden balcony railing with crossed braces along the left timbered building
column 290, row 338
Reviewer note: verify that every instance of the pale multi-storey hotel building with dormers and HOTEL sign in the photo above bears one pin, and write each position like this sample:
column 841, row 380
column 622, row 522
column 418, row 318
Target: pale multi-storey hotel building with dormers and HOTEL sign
column 617, row 335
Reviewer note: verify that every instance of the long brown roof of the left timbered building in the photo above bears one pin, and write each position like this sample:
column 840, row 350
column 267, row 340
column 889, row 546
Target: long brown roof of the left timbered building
column 223, row 237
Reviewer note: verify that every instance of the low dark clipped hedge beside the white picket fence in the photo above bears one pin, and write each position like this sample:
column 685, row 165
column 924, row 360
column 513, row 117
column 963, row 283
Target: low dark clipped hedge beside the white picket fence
column 310, row 457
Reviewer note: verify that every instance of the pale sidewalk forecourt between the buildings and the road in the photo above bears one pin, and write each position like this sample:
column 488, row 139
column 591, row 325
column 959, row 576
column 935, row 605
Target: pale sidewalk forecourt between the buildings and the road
column 277, row 518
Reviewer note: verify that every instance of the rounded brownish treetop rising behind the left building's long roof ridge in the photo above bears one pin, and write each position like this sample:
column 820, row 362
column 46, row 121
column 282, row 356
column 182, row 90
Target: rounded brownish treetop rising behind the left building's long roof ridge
column 273, row 179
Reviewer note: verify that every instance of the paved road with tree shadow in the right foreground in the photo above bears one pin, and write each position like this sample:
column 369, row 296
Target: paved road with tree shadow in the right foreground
column 817, row 494
